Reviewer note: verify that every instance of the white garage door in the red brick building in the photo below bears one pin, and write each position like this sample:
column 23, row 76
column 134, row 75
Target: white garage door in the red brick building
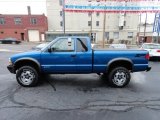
column 33, row 35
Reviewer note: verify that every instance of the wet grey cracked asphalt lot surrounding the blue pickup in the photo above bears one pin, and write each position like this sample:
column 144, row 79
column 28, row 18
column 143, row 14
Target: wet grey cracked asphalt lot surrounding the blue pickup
column 77, row 97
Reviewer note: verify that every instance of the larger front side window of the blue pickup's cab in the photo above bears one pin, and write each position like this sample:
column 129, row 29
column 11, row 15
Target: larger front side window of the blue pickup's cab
column 63, row 45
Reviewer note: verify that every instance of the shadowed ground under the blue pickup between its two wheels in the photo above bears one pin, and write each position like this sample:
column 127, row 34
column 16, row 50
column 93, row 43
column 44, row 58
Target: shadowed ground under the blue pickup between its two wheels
column 76, row 80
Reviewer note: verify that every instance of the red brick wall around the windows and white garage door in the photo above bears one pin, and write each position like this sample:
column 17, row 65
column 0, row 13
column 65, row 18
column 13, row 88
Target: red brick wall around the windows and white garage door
column 10, row 29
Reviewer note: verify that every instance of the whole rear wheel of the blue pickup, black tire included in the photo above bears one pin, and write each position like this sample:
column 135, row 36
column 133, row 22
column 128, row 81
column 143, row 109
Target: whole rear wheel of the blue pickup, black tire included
column 119, row 77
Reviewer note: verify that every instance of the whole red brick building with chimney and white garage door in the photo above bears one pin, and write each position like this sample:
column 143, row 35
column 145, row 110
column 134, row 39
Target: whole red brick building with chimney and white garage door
column 23, row 27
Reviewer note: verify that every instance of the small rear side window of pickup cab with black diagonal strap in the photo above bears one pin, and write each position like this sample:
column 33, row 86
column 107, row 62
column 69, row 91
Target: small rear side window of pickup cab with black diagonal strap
column 81, row 45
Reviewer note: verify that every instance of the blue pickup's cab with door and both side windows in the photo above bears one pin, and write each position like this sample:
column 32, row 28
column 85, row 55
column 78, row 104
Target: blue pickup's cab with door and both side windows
column 68, row 55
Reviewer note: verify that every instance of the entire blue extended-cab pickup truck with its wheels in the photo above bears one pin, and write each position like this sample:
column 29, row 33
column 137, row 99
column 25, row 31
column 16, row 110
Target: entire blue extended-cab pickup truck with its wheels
column 74, row 55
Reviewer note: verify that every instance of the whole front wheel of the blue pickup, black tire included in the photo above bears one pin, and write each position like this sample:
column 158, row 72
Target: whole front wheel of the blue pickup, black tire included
column 27, row 76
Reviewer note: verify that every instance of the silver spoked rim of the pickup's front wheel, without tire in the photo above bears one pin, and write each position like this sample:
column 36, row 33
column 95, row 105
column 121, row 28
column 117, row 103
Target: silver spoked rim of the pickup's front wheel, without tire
column 27, row 77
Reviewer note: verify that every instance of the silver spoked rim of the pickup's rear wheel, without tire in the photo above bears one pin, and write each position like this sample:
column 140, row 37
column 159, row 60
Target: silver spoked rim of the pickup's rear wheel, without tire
column 119, row 78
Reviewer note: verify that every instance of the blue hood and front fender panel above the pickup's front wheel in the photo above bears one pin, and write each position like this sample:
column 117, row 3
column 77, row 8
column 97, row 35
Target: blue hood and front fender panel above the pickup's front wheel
column 31, row 54
